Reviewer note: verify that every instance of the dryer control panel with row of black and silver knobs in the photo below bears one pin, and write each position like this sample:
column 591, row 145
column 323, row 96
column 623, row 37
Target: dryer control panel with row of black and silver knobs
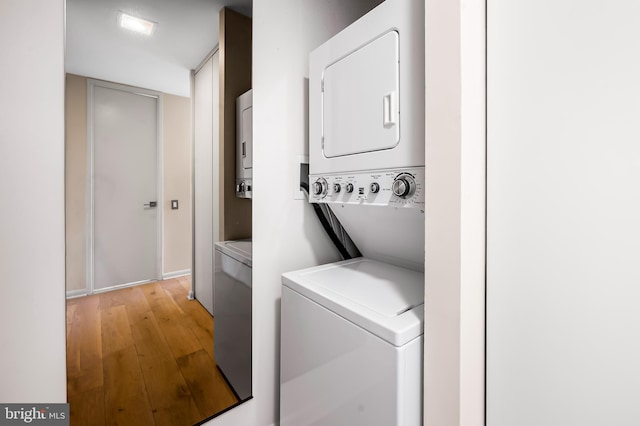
column 391, row 187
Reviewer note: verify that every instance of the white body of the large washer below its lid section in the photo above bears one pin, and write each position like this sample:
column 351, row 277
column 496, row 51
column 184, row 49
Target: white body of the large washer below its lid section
column 335, row 373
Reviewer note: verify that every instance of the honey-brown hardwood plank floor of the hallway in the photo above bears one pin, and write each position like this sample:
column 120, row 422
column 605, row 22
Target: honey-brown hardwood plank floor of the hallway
column 142, row 356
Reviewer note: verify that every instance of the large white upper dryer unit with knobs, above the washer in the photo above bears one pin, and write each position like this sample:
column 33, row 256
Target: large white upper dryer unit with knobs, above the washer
column 367, row 131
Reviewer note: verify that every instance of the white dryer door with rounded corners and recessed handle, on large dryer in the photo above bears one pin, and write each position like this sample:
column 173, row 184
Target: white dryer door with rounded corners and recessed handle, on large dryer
column 360, row 99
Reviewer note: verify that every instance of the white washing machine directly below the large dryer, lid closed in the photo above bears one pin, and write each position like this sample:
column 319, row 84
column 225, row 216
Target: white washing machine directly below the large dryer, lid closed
column 352, row 342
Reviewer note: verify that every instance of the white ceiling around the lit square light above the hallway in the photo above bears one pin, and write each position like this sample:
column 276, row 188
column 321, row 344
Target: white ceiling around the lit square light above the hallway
column 187, row 31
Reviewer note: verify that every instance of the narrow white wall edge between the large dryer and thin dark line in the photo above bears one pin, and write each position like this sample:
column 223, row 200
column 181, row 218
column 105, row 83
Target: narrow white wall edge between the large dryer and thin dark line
column 454, row 240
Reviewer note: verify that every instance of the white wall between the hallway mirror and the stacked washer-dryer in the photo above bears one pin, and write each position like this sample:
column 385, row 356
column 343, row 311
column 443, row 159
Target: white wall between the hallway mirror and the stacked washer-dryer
column 286, row 234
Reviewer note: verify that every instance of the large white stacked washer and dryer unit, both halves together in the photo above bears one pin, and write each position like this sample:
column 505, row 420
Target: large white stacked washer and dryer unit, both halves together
column 352, row 331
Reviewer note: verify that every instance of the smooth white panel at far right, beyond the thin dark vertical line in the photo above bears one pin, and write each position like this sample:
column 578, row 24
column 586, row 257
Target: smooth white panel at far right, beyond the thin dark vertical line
column 563, row 213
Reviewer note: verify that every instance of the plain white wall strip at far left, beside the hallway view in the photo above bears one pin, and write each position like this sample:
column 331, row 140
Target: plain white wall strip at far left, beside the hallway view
column 32, row 335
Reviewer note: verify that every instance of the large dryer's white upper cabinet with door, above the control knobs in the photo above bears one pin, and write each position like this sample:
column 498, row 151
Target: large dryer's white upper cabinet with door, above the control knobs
column 363, row 83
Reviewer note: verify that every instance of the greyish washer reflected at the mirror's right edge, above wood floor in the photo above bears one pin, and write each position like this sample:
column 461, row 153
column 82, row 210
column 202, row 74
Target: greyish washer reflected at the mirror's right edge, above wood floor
column 232, row 314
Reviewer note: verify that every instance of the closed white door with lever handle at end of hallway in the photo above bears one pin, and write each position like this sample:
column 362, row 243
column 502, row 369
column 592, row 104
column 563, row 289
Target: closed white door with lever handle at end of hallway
column 126, row 206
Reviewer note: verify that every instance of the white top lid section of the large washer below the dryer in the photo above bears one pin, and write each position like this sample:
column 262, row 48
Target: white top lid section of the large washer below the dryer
column 384, row 299
